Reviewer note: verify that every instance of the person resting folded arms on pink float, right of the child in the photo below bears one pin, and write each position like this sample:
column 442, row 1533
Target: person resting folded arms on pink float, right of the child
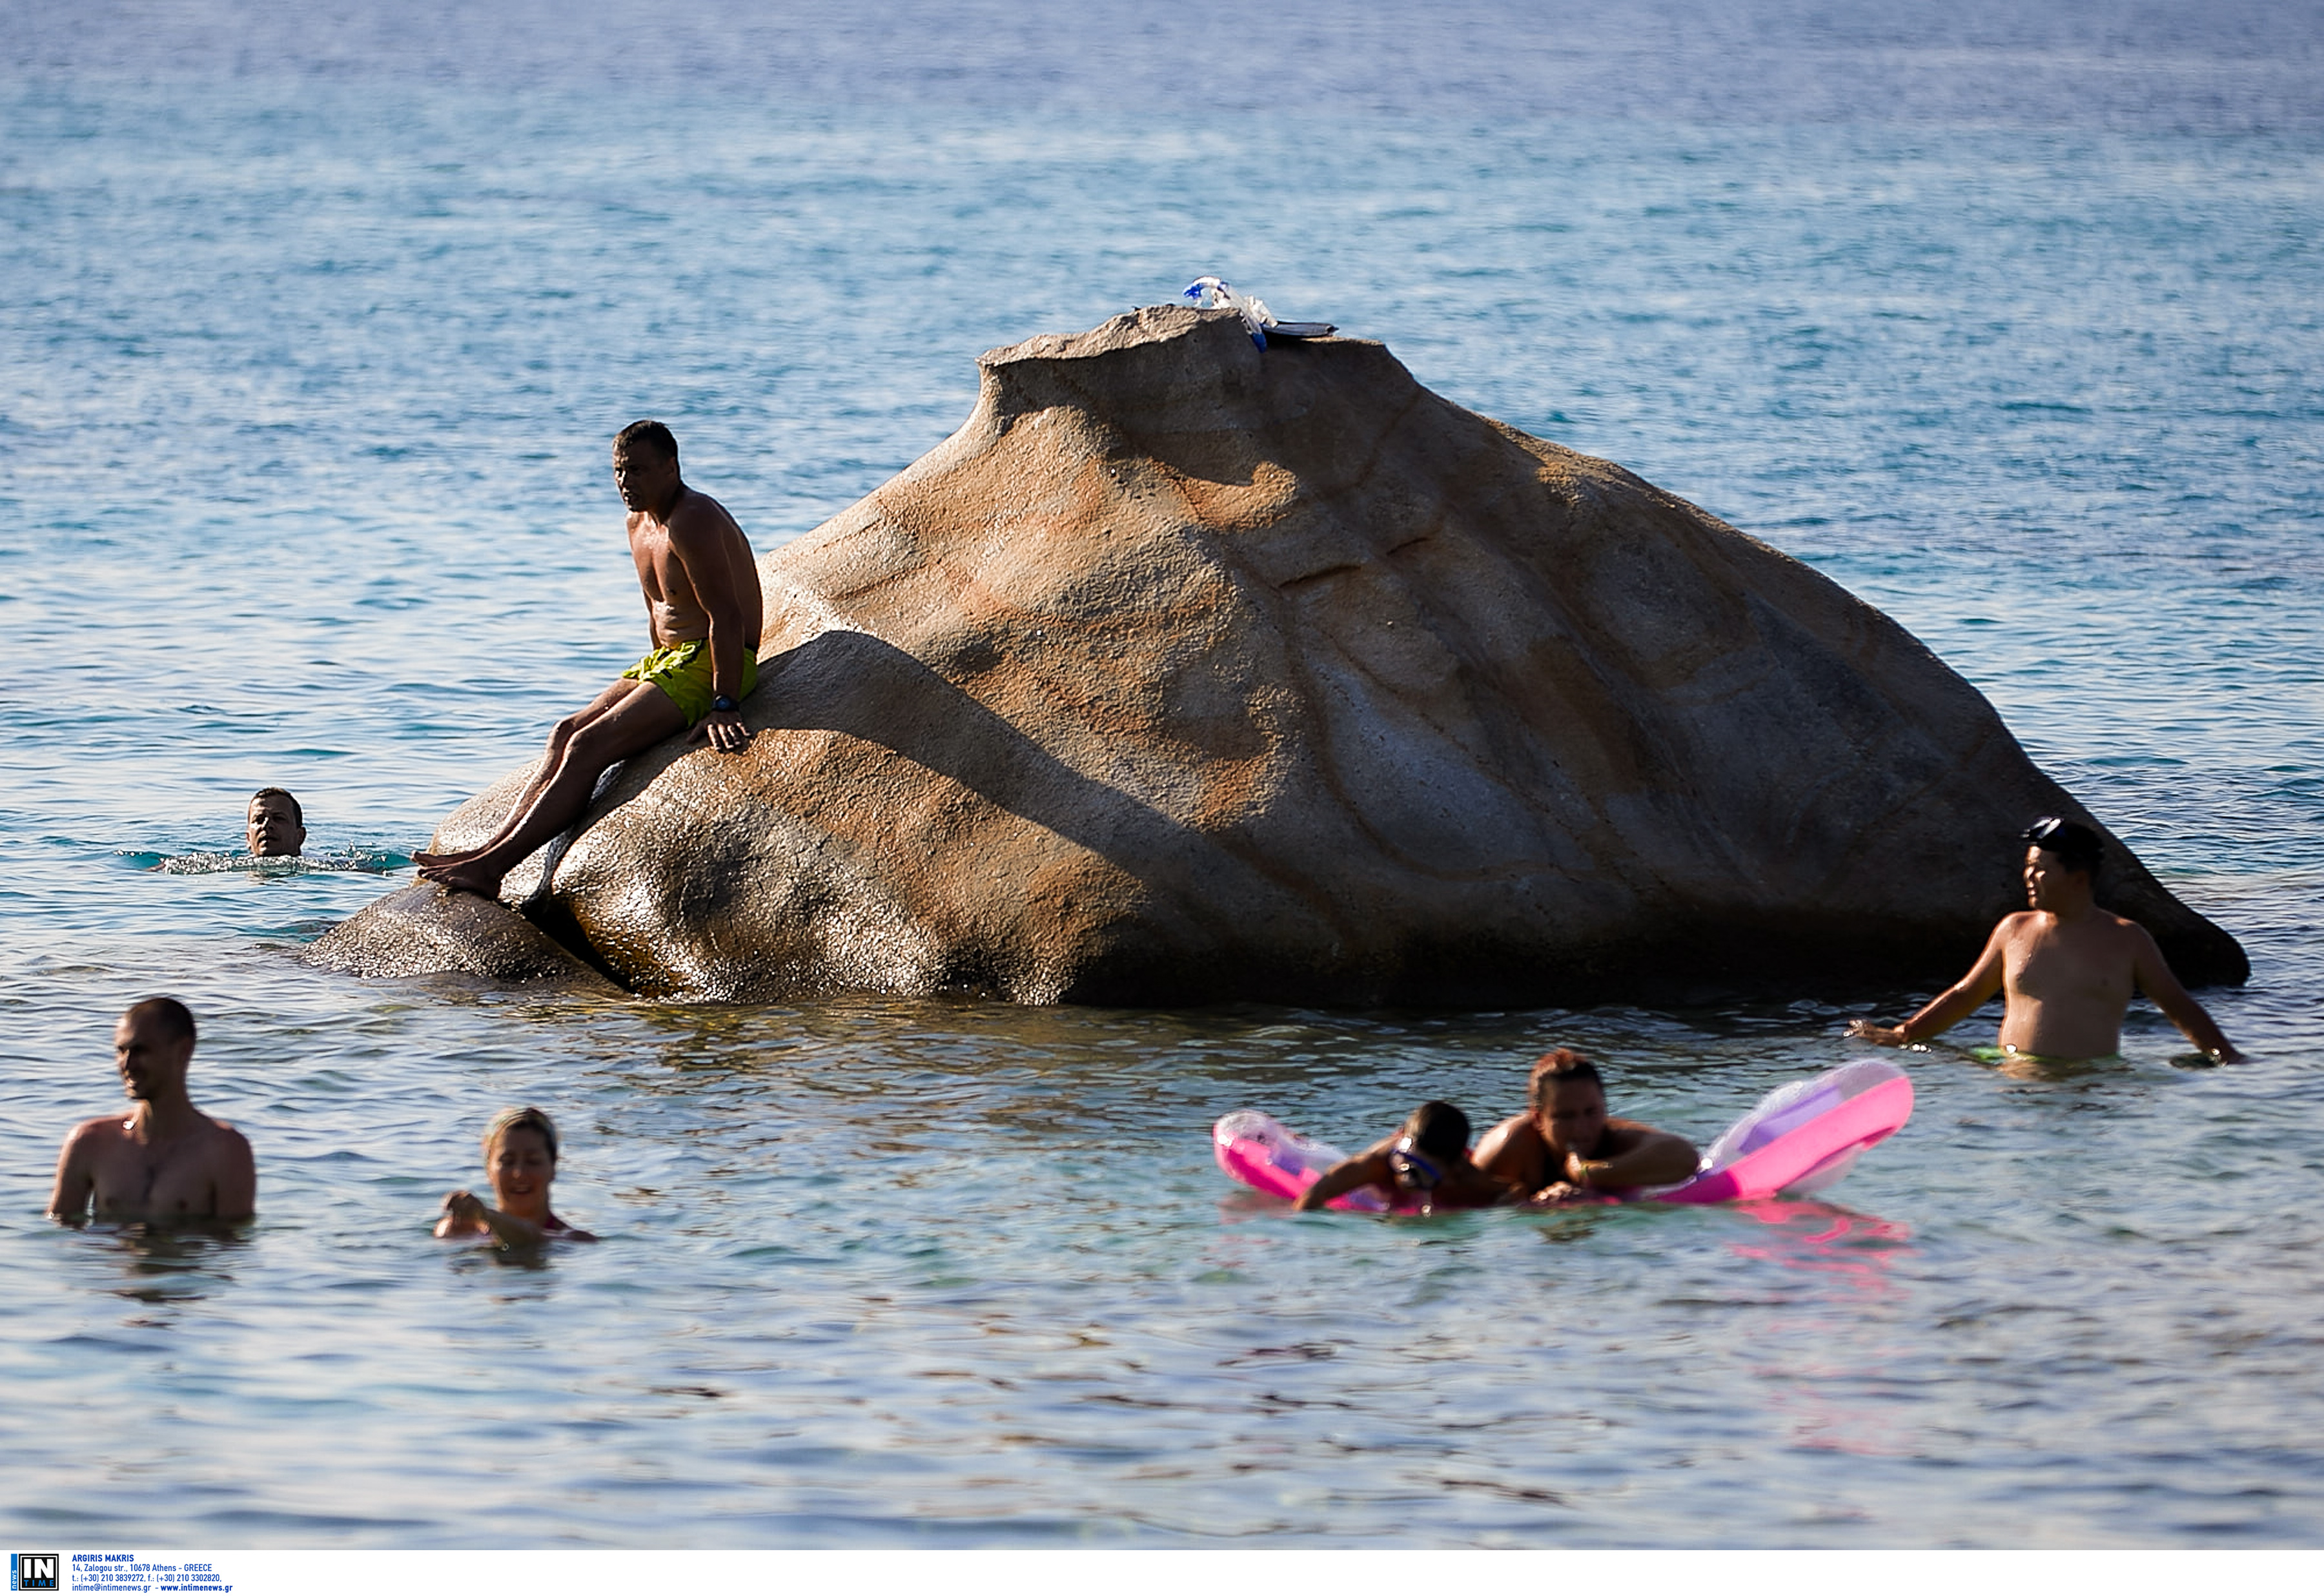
column 1565, row 1146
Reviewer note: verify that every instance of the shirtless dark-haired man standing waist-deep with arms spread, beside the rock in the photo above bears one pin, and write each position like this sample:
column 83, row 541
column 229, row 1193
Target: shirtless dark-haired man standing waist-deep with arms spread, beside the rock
column 2065, row 968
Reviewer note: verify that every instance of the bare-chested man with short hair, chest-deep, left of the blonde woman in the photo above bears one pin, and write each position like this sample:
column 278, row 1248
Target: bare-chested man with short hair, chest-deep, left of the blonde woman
column 168, row 1160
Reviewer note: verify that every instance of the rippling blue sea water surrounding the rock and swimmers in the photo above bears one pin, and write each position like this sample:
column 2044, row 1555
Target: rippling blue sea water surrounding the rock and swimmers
column 315, row 326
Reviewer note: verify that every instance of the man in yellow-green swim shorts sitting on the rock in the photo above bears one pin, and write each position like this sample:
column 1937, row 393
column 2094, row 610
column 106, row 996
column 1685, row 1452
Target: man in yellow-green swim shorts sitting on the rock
column 703, row 619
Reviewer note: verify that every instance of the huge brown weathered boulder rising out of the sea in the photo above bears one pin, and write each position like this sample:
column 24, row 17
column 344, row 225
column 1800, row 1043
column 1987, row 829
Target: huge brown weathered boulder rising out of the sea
column 1193, row 673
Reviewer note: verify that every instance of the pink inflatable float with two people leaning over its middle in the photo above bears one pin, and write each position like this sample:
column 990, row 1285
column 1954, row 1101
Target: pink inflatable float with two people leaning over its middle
column 1800, row 1140
